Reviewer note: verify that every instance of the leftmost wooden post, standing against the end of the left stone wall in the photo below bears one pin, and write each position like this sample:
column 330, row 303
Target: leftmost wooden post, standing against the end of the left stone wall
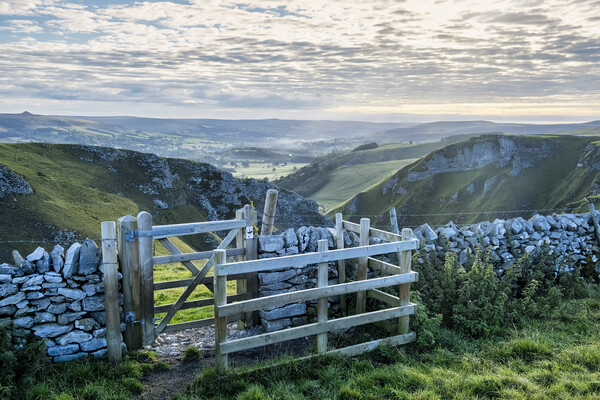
column 111, row 291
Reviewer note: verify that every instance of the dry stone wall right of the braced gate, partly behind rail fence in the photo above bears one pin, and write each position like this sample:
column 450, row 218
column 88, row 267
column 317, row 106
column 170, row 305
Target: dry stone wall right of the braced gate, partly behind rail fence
column 570, row 237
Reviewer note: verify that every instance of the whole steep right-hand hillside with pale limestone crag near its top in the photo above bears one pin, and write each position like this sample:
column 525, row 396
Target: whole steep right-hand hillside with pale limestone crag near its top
column 485, row 178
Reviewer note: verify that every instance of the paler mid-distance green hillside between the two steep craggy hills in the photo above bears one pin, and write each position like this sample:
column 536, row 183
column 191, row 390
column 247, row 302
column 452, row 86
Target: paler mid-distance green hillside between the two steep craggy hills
column 336, row 177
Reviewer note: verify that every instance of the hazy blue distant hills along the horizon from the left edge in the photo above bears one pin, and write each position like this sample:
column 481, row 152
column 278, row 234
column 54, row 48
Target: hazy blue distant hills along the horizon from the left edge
column 196, row 139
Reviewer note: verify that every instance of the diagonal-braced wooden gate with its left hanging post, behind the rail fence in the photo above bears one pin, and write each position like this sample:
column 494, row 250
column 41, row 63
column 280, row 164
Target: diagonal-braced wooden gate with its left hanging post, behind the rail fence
column 136, row 238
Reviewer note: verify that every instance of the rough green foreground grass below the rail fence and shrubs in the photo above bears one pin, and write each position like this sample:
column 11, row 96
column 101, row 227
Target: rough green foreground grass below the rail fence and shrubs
column 545, row 360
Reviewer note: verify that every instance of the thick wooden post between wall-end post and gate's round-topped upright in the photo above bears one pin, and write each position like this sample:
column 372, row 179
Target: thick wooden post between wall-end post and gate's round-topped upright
column 130, row 267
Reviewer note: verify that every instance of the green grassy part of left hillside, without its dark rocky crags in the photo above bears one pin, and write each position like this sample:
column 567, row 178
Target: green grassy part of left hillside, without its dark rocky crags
column 74, row 194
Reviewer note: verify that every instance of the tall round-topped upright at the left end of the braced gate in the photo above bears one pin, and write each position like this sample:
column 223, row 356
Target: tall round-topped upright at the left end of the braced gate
column 147, row 279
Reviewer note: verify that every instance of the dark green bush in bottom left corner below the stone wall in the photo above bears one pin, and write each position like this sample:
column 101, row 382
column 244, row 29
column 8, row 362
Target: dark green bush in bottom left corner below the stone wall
column 20, row 358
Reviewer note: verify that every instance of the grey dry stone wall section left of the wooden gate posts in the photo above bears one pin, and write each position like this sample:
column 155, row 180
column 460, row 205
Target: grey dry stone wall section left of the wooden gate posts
column 58, row 296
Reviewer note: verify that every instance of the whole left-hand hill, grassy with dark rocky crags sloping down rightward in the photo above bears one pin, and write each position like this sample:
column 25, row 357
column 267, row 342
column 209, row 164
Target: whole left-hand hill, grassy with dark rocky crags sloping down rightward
column 58, row 193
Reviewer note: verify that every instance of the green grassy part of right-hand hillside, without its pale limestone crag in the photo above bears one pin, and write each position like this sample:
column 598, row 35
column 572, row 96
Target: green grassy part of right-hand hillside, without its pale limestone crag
column 553, row 182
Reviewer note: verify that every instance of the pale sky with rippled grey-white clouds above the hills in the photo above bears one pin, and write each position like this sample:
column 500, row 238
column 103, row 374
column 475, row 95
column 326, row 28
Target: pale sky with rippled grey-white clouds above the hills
column 377, row 60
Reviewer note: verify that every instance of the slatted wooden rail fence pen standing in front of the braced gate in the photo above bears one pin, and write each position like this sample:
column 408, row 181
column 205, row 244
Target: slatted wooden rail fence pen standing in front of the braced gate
column 322, row 292
